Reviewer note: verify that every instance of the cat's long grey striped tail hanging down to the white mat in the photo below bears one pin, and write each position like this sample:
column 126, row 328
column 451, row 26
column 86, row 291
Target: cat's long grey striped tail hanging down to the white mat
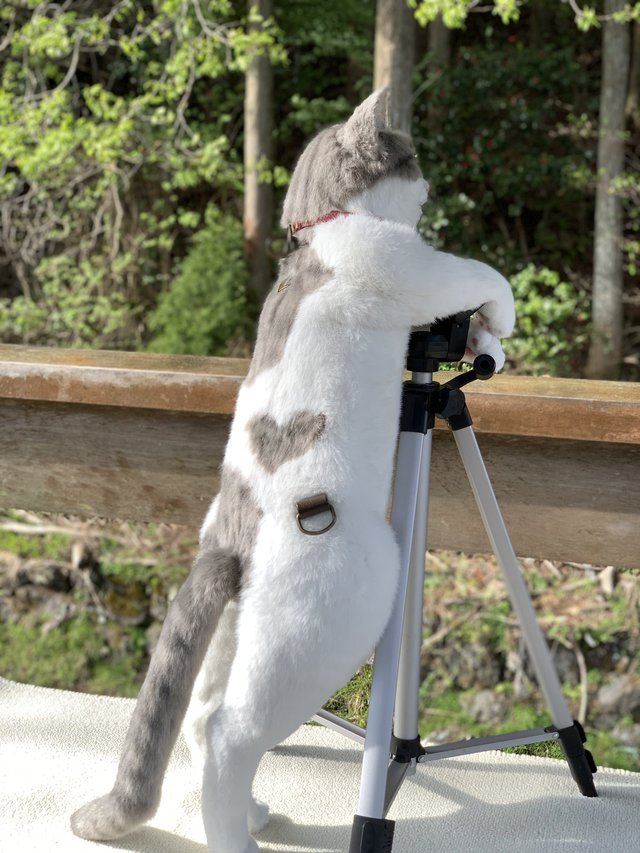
column 164, row 697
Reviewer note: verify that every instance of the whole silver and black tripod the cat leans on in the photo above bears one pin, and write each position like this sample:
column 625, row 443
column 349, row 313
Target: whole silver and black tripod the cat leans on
column 392, row 747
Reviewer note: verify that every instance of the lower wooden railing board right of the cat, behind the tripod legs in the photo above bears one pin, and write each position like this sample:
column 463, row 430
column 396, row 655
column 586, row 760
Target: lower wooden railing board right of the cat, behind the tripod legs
column 561, row 500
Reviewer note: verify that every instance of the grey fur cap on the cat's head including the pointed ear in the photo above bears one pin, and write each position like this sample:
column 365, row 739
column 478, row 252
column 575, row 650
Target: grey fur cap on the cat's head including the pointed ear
column 345, row 160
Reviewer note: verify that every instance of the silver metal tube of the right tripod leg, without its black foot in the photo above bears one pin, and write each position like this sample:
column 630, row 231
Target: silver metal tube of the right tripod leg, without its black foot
column 518, row 592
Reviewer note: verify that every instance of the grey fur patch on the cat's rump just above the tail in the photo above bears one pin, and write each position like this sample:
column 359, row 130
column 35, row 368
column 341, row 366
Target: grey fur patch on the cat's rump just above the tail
column 238, row 516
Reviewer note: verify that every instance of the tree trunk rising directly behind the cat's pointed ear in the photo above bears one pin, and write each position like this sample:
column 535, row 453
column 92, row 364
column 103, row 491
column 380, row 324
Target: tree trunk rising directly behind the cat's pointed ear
column 393, row 59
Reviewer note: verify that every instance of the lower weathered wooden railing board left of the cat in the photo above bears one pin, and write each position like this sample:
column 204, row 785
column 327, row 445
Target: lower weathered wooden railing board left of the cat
column 115, row 462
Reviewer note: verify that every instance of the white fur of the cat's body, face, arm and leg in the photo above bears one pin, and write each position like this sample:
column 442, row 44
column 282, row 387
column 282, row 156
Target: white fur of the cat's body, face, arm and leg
column 314, row 607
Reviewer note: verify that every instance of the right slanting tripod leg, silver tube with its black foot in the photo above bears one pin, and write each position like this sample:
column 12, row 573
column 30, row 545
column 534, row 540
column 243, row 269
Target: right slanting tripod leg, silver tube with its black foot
column 571, row 735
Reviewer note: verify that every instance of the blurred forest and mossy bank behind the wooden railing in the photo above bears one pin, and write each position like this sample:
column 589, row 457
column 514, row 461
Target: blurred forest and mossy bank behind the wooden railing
column 145, row 149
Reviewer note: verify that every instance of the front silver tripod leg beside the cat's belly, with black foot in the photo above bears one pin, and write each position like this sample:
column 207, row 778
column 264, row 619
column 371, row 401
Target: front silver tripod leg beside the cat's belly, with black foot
column 371, row 832
